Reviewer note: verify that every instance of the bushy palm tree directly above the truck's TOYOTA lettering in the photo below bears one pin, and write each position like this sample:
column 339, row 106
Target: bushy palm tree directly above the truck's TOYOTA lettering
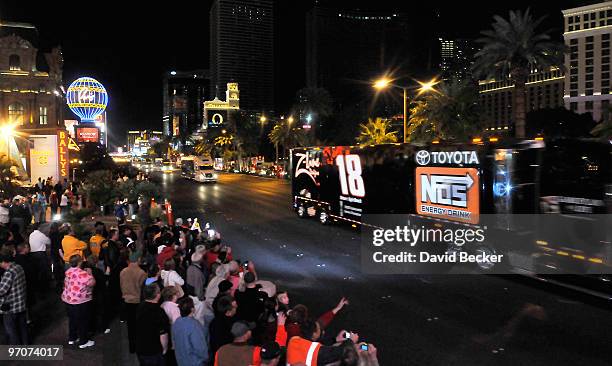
column 451, row 113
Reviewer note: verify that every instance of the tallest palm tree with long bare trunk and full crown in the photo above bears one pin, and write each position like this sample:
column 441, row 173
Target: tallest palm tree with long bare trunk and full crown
column 514, row 48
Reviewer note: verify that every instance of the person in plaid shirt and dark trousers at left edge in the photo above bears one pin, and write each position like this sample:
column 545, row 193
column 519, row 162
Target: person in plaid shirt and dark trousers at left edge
column 13, row 299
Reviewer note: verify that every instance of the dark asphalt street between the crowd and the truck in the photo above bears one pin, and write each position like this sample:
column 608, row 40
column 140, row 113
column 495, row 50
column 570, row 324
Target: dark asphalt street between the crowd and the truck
column 413, row 320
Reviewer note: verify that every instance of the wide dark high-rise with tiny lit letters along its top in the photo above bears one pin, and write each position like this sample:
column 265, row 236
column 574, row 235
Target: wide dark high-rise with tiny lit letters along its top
column 347, row 48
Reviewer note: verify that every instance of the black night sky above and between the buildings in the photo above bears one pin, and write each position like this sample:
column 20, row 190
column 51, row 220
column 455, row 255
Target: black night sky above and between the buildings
column 129, row 48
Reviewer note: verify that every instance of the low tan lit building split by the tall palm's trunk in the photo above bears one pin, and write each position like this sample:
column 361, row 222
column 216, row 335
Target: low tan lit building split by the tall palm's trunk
column 544, row 90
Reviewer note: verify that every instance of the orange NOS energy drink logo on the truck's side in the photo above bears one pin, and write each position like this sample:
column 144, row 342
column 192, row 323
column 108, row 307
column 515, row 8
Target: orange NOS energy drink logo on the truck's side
column 448, row 193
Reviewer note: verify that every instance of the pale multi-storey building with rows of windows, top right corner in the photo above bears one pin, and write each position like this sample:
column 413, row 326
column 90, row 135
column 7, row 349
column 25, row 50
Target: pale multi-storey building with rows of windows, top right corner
column 588, row 30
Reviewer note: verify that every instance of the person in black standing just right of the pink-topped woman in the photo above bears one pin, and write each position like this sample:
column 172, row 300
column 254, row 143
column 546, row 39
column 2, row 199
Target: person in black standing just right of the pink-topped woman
column 100, row 319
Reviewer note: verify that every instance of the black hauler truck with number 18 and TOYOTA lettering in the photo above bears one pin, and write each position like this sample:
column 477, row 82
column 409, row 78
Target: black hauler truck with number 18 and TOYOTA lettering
column 518, row 184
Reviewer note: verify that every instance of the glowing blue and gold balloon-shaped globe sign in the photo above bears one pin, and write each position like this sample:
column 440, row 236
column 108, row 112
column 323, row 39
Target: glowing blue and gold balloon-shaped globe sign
column 87, row 98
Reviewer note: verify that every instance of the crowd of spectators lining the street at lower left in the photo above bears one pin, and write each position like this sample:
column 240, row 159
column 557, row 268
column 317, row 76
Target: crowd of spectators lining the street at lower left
column 180, row 291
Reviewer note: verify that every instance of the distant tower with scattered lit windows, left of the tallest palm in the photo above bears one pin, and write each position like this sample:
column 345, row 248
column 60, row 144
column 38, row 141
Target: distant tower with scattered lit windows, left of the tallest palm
column 456, row 58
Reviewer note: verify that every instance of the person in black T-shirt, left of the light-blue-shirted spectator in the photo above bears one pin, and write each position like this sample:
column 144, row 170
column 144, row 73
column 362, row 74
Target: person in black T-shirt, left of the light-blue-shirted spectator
column 151, row 328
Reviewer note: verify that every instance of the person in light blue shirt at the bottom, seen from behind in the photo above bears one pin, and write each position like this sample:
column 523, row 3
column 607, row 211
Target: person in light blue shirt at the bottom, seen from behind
column 189, row 336
